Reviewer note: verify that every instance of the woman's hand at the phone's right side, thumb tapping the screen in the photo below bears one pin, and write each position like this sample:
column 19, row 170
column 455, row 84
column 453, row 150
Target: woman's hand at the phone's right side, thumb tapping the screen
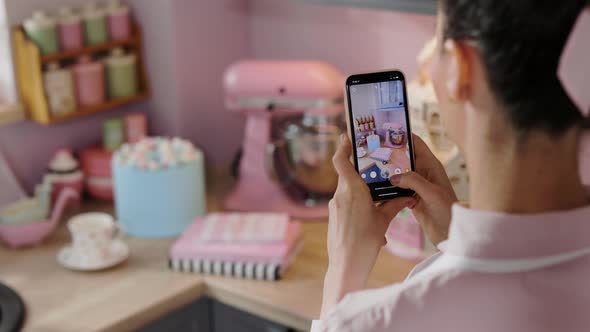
column 434, row 192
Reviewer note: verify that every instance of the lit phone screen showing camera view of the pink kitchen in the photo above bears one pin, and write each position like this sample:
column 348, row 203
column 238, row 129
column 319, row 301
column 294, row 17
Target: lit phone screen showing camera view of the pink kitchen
column 380, row 131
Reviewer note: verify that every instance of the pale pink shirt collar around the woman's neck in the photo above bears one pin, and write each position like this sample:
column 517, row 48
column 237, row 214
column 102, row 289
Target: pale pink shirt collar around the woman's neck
column 496, row 235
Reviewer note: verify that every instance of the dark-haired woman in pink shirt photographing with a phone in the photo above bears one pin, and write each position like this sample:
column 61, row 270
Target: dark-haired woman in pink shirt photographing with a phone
column 518, row 258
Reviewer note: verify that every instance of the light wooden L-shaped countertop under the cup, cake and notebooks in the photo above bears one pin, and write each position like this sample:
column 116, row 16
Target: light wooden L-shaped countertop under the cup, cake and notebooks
column 143, row 289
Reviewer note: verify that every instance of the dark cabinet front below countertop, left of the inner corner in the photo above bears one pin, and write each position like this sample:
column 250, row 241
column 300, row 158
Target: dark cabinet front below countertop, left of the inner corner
column 195, row 317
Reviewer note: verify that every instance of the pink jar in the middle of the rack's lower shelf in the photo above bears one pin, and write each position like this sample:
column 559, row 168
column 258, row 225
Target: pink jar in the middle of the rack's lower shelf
column 89, row 78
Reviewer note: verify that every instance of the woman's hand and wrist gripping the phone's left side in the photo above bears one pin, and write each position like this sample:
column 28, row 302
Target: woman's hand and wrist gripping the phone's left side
column 356, row 230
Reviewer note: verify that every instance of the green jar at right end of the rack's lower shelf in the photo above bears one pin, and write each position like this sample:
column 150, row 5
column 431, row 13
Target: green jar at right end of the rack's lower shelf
column 121, row 70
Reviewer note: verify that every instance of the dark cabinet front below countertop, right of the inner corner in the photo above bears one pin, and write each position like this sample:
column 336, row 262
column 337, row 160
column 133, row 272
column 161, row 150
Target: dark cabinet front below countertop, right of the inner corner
column 228, row 319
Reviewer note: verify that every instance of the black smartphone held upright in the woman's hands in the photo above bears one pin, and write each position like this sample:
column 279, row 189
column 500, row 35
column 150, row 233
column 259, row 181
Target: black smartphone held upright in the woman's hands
column 379, row 125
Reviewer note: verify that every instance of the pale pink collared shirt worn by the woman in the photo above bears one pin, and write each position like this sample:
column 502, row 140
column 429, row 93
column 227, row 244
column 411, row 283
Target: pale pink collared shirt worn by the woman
column 496, row 272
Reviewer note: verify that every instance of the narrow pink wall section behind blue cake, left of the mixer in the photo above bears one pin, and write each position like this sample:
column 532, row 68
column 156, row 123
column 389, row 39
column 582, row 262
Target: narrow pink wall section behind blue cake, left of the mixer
column 210, row 36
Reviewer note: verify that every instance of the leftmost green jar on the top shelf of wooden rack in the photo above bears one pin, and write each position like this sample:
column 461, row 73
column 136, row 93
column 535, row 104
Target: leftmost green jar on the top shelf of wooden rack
column 41, row 29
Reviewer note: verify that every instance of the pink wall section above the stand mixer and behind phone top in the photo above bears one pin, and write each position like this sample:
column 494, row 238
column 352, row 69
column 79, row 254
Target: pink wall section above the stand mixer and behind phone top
column 353, row 39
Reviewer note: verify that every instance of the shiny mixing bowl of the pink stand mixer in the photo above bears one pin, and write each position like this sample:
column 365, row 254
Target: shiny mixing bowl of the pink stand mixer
column 302, row 157
